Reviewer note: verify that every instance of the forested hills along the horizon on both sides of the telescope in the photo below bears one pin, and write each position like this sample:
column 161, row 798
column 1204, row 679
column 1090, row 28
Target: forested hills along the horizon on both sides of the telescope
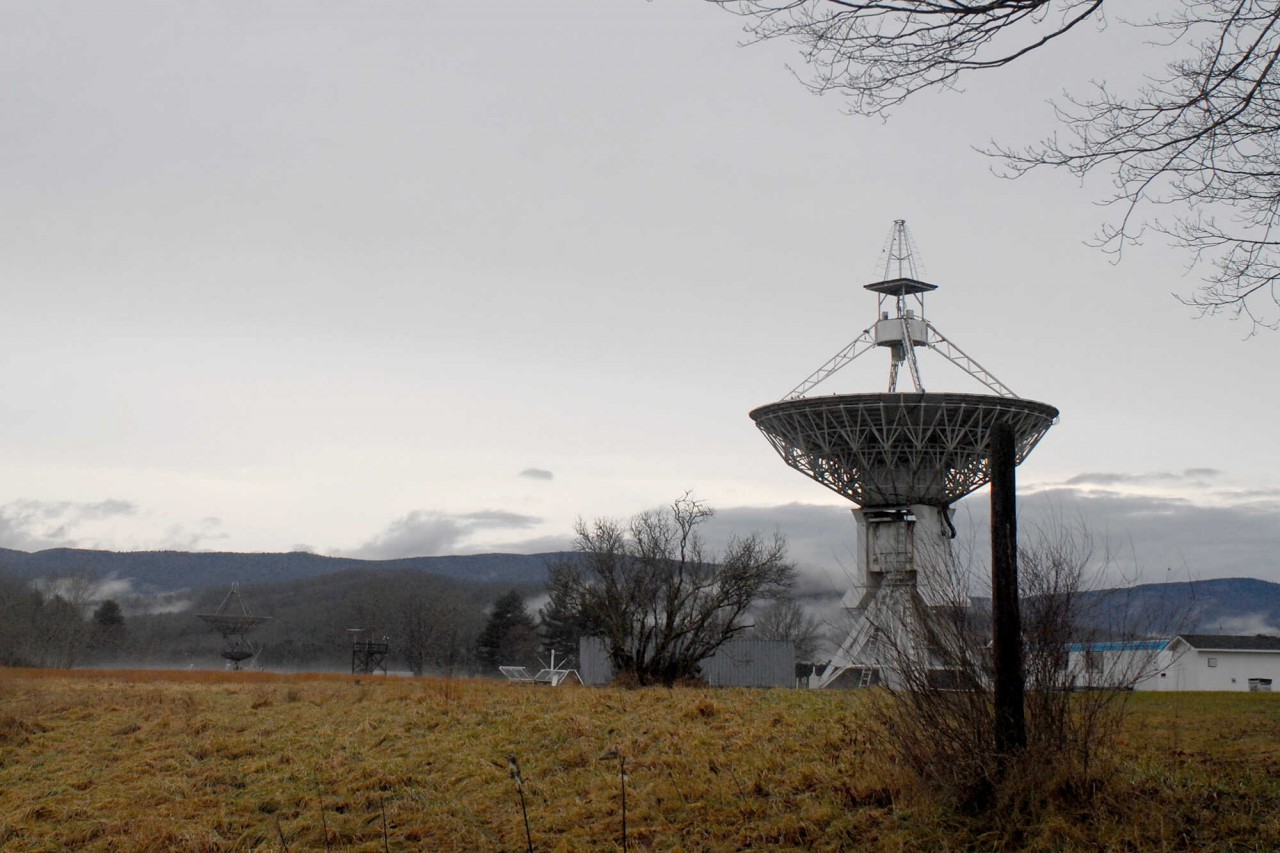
column 432, row 622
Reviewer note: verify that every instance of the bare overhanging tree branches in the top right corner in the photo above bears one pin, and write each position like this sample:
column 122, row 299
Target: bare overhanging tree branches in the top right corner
column 1201, row 139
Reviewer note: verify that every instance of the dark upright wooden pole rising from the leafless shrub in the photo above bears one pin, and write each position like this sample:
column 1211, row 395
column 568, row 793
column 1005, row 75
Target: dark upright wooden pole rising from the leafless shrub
column 1007, row 649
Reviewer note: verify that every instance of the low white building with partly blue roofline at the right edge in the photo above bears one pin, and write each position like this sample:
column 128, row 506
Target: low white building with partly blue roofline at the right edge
column 1186, row 663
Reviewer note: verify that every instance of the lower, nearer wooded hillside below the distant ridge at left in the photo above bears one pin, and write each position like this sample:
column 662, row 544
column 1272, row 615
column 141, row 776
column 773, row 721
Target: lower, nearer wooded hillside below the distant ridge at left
column 431, row 622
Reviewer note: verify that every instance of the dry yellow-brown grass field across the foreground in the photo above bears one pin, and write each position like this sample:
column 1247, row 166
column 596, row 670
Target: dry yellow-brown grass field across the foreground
column 182, row 761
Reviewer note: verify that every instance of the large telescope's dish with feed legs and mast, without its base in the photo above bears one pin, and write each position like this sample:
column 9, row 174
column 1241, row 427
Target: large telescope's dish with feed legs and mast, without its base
column 898, row 449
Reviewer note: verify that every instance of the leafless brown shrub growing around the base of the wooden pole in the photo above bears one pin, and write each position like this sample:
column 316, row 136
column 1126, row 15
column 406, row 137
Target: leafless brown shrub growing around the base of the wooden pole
column 939, row 713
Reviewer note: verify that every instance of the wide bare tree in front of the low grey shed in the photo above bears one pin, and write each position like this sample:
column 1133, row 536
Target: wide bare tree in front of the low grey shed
column 661, row 603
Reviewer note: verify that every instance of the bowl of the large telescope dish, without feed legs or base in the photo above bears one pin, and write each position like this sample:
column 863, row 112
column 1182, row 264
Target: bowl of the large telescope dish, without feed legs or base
column 899, row 449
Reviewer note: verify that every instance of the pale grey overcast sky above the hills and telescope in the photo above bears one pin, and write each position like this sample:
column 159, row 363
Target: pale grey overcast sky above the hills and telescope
column 414, row 279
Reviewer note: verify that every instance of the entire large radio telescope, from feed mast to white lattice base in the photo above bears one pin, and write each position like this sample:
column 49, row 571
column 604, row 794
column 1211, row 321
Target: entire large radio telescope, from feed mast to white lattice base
column 904, row 459
